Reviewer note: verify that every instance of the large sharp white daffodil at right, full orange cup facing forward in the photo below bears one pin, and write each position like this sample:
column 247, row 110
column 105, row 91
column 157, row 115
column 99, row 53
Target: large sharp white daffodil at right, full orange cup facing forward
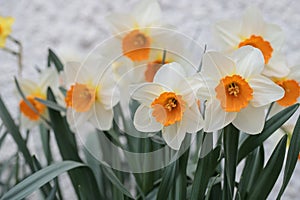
column 235, row 90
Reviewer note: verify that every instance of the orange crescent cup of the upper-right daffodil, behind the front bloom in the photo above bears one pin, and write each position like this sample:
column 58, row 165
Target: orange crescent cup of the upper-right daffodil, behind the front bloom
column 258, row 42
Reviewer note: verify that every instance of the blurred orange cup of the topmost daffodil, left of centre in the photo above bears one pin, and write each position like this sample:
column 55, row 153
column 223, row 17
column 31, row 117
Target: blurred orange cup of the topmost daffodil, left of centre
column 136, row 46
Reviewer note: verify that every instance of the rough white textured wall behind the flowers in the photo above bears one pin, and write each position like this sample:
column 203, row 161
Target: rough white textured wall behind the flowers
column 73, row 27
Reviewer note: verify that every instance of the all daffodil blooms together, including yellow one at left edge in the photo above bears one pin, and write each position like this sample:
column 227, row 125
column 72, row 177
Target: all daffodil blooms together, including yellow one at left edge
column 236, row 85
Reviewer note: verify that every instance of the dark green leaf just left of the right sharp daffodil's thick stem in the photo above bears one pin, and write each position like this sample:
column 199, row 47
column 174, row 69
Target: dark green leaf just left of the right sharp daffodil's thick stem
column 205, row 169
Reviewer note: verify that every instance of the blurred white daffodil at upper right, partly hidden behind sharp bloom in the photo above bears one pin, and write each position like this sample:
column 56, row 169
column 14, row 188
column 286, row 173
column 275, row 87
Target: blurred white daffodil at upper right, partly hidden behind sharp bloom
column 254, row 31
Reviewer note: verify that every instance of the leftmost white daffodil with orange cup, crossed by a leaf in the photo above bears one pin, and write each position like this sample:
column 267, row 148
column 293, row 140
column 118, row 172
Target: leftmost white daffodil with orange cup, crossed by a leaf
column 31, row 117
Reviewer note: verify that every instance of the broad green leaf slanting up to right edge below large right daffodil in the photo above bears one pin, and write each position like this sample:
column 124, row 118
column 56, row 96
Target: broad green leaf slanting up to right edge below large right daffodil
column 253, row 141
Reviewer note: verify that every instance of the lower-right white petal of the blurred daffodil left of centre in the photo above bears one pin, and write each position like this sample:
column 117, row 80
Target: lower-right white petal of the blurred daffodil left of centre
column 101, row 118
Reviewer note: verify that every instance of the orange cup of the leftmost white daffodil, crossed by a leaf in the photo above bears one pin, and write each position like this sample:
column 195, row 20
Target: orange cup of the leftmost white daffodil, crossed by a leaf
column 30, row 113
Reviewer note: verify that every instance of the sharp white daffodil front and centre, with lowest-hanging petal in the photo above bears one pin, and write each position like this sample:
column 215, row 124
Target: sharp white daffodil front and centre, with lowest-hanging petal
column 168, row 104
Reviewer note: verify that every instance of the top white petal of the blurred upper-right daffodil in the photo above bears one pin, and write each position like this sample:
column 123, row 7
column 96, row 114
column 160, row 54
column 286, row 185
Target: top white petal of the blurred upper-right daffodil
column 253, row 22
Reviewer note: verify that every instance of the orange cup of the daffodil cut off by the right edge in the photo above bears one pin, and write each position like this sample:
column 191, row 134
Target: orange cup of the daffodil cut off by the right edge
column 291, row 92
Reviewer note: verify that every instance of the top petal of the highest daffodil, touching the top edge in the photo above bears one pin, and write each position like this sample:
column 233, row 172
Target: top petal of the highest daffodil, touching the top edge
column 147, row 13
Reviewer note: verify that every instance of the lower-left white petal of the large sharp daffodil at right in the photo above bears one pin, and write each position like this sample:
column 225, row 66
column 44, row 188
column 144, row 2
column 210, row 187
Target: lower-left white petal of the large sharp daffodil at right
column 215, row 117
